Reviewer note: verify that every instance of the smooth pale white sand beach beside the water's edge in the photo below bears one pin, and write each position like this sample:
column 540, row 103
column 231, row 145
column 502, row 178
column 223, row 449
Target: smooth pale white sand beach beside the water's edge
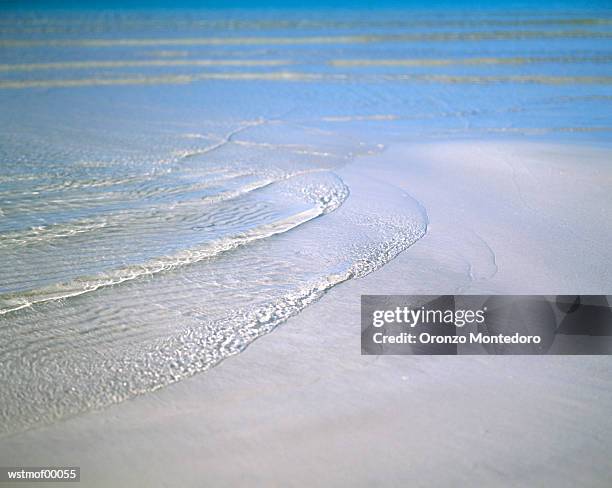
column 301, row 406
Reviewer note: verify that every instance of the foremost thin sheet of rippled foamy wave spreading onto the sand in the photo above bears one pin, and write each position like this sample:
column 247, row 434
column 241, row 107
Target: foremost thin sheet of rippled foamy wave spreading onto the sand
column 137, row 337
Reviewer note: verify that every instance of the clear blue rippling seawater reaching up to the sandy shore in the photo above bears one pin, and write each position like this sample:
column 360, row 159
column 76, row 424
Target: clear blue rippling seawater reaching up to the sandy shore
column 172, row 187
